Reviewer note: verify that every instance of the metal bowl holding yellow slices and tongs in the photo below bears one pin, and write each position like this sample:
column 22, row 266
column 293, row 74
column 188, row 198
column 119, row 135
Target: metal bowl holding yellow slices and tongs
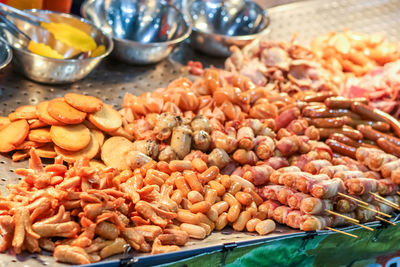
column 50, row 70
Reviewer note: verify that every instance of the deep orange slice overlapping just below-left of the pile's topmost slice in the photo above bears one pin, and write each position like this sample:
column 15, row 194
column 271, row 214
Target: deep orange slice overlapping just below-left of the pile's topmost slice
column 62, row 111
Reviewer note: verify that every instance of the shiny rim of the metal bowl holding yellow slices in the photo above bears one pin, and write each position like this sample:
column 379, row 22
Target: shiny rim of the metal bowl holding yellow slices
column 109, row 40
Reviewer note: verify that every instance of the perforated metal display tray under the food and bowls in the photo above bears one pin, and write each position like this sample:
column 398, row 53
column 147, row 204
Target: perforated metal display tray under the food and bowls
column 111, row 80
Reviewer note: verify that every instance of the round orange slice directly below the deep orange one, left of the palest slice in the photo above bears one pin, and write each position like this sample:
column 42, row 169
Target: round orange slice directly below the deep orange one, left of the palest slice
column 70, row 137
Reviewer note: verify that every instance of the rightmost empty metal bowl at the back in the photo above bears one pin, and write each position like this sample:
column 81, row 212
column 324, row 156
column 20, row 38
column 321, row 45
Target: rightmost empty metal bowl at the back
column 217, row 25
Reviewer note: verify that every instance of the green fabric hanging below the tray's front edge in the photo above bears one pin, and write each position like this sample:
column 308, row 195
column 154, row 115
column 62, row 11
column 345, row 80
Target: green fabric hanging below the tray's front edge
column 325, row 250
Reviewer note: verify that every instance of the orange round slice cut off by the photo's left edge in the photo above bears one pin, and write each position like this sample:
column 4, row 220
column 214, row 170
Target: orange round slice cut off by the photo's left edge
column 13, row 134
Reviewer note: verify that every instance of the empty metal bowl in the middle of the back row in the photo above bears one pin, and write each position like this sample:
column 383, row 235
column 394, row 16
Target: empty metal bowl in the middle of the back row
column 144, row 32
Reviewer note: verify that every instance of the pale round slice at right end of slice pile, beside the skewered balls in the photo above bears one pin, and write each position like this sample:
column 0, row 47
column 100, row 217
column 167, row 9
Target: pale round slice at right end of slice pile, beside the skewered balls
column 114, row 151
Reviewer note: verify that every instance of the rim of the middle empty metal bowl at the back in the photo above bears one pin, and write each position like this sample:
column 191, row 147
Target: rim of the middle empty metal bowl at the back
column 152, row 44
